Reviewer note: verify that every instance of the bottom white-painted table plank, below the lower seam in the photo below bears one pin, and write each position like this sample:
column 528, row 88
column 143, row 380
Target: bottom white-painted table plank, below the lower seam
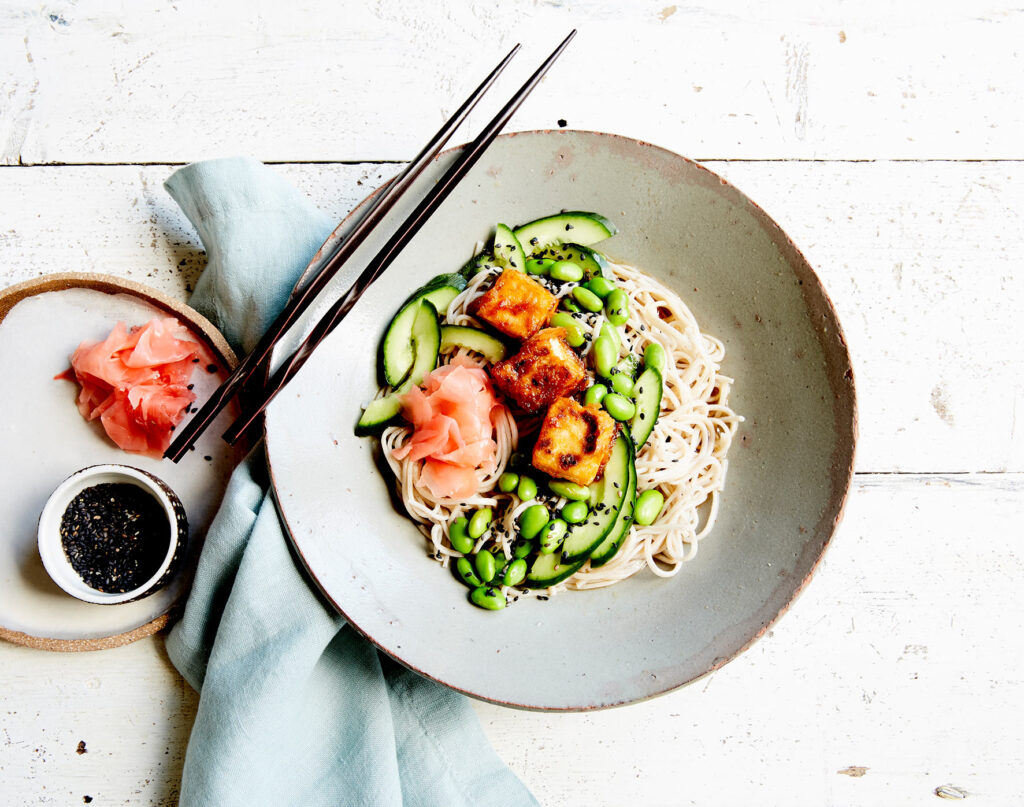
column 897, row 672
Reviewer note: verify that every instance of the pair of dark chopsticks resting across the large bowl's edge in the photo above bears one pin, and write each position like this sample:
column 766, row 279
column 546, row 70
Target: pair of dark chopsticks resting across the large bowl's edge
column 259, row 358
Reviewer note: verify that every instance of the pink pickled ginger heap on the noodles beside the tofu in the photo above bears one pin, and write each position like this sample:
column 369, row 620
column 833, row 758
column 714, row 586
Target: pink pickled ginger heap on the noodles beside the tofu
column 453, row 429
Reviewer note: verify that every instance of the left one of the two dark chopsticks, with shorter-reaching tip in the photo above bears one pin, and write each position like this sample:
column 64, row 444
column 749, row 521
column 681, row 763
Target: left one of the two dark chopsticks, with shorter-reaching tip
column 308, row 292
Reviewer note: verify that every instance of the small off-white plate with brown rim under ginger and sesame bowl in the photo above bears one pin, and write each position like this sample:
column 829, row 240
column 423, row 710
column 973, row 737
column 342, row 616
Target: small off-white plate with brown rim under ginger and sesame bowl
column 46, row 440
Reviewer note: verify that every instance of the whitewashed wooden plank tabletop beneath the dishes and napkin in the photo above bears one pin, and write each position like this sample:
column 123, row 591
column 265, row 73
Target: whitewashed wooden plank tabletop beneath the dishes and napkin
column 886, row 139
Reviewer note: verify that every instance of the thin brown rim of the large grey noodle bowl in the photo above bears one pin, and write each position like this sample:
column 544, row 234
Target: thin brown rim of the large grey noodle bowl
column 839, row 371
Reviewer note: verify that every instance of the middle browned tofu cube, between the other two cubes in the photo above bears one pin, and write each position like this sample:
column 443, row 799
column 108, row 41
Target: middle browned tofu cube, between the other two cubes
column 545, row 369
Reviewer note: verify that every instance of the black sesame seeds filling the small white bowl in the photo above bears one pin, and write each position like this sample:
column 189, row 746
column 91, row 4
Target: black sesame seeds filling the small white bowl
column 116, row 537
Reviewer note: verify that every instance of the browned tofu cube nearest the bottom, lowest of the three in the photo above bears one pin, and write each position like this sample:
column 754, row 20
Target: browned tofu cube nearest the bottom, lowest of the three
column 575, row 442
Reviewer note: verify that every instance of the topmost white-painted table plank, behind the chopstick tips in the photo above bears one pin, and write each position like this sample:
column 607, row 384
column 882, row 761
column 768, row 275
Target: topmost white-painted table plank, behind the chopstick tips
column 110, row 81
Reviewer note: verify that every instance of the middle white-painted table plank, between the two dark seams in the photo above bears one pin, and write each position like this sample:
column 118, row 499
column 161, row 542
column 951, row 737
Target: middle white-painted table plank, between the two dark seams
column 923, row 262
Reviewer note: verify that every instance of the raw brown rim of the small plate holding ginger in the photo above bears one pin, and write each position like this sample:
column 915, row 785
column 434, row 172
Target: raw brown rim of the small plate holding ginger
column 110, row 284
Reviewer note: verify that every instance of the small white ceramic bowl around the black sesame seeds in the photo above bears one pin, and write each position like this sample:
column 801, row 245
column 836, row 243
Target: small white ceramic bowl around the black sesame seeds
column 56, row 560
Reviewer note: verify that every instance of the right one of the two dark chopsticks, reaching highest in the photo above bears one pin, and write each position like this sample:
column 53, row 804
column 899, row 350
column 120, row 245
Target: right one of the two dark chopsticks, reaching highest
column 393, row 248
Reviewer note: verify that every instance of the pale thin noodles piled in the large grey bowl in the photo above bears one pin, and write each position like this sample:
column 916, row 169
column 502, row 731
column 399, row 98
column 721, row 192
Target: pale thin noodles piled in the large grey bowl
column 685, row 457
